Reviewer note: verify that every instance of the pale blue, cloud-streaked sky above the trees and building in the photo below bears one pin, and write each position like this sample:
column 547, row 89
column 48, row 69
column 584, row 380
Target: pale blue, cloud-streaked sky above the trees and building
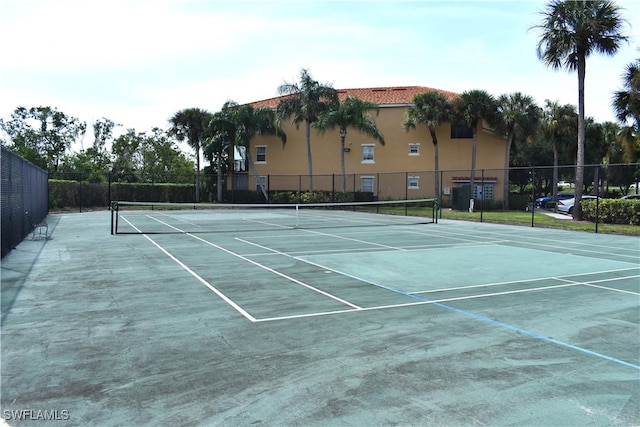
column 137, row 62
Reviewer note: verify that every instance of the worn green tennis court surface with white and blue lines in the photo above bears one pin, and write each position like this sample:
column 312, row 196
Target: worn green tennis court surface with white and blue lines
column 447, row 324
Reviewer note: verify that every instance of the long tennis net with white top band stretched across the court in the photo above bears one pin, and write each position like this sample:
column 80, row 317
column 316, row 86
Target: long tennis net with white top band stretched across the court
column 163, row 218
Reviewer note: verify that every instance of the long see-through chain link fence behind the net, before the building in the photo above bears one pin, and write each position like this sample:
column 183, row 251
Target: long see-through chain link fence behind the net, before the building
column 452, row 187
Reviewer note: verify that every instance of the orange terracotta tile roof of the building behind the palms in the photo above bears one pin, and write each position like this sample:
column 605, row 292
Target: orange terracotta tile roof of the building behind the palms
column 380, row 95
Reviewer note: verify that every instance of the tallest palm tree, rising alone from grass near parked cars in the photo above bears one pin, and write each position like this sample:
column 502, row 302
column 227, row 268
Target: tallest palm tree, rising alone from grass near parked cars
column 571, row 31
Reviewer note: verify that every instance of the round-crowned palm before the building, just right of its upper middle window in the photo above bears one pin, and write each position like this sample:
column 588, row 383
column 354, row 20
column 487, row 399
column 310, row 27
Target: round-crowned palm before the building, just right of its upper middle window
column 431, row 109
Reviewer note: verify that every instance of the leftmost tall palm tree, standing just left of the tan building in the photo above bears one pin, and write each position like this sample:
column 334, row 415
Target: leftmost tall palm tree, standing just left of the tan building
column 190, row 125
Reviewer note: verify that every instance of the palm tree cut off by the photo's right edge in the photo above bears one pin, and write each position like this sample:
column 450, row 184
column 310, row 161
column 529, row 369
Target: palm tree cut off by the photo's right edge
column 626, row 104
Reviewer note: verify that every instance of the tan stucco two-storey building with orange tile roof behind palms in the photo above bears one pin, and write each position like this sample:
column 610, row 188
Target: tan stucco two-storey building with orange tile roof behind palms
column 402, row 168
